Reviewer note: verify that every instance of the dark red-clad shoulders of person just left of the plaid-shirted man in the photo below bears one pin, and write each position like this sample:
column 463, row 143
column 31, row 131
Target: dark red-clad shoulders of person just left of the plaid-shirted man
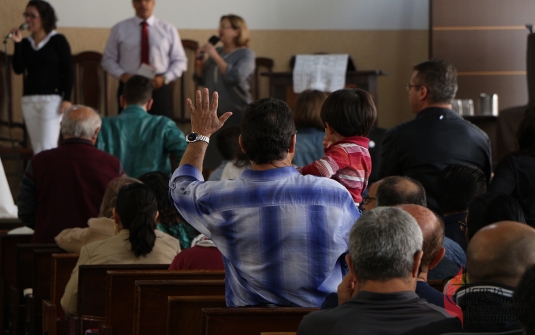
column 203, row 255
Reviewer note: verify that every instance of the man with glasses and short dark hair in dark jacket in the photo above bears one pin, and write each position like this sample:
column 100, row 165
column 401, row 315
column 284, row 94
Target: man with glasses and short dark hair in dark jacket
column 437, row 137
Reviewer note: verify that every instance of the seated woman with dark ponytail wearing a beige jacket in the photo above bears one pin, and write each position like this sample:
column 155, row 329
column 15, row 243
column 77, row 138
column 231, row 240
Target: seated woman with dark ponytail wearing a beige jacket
column 136, row 240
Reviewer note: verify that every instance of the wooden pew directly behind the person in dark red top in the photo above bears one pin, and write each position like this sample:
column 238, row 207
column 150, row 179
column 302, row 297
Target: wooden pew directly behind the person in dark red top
column 121, row 289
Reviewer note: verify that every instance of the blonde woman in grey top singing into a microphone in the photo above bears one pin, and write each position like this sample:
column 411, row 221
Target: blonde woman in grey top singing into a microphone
column 229, row 68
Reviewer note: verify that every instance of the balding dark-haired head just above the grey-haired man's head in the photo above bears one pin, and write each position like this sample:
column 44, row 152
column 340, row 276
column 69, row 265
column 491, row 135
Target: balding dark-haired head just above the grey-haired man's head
column 397, row 190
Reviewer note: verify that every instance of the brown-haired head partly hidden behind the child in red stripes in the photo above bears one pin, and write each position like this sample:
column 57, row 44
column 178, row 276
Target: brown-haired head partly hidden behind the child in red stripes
column 307, row 109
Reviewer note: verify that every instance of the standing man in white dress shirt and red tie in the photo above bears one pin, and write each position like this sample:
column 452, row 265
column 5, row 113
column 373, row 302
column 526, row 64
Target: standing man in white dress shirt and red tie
column 146, row 39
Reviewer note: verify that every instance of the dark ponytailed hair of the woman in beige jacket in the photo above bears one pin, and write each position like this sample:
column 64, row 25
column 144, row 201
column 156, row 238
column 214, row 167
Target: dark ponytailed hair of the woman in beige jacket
column 136, row 206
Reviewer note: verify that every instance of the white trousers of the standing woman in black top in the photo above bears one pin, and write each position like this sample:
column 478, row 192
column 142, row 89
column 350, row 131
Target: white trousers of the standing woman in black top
column 42, row 118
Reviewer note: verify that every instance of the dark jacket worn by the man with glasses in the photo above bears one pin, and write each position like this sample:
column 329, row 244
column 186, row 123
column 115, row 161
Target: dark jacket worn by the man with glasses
column 436, row 138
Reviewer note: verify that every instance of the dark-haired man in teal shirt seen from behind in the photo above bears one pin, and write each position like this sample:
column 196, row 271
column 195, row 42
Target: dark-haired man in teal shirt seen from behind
column 143, row 142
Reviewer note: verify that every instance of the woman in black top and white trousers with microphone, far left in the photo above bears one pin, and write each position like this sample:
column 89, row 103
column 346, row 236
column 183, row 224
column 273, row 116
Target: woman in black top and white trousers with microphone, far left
column 45, row 58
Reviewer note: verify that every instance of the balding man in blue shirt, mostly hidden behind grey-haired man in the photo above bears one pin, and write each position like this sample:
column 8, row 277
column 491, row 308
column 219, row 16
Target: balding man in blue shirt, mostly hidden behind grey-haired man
column 396, row 190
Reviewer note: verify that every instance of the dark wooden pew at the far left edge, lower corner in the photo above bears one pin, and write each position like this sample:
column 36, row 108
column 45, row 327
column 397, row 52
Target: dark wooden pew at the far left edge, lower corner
column 8, row 271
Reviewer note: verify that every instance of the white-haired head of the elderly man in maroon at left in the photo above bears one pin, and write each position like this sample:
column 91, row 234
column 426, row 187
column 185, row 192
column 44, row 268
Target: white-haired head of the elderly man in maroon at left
column 81, row 122
